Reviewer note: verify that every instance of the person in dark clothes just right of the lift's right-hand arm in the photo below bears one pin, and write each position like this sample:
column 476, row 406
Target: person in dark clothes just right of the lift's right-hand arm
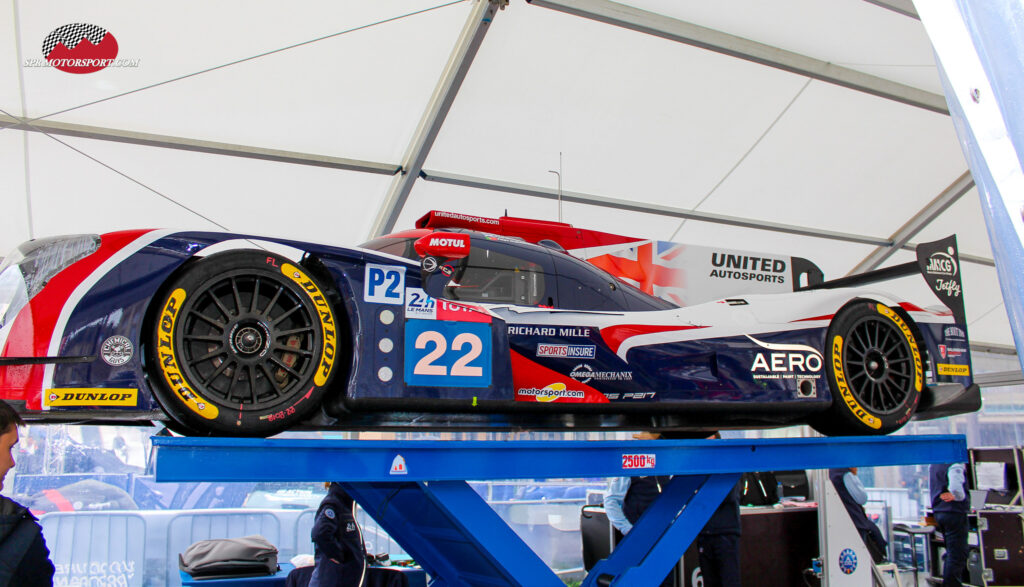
column 718, row 543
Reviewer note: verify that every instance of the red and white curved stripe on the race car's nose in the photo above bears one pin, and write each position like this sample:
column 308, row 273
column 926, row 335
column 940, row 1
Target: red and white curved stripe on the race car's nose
column 38, row 329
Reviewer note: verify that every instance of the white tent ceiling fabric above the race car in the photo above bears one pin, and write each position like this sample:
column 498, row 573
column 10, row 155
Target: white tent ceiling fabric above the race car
column 340, row 88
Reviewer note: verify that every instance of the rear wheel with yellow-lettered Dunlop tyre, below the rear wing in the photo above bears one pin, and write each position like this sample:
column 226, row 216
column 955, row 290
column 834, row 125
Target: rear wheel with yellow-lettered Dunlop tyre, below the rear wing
column 875, row 369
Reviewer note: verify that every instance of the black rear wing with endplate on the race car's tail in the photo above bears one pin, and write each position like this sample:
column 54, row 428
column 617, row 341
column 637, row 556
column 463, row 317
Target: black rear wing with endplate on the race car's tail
column 938, row 264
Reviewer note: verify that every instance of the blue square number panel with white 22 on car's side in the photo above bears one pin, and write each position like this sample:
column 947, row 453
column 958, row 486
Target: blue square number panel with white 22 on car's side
column 441, row 354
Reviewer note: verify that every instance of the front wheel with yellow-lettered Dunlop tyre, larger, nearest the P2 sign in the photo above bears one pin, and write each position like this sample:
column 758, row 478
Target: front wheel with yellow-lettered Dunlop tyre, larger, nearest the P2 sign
column 244, row 344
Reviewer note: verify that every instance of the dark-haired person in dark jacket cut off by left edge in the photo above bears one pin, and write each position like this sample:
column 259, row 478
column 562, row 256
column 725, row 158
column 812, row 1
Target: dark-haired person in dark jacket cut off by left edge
column 25, row 561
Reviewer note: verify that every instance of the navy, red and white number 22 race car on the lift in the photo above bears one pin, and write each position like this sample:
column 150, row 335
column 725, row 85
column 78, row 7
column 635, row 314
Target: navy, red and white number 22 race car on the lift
column 471, row 322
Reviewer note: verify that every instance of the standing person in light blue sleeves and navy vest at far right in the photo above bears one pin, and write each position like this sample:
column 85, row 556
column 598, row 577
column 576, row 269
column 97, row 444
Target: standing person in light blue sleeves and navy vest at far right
column 951, row 507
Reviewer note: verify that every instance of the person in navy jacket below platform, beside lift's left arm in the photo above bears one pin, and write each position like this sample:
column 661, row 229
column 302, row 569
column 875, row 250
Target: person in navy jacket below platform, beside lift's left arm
column 340, row 555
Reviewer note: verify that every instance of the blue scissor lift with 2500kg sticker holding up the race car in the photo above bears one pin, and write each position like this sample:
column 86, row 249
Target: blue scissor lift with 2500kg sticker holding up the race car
column 417, row 490
